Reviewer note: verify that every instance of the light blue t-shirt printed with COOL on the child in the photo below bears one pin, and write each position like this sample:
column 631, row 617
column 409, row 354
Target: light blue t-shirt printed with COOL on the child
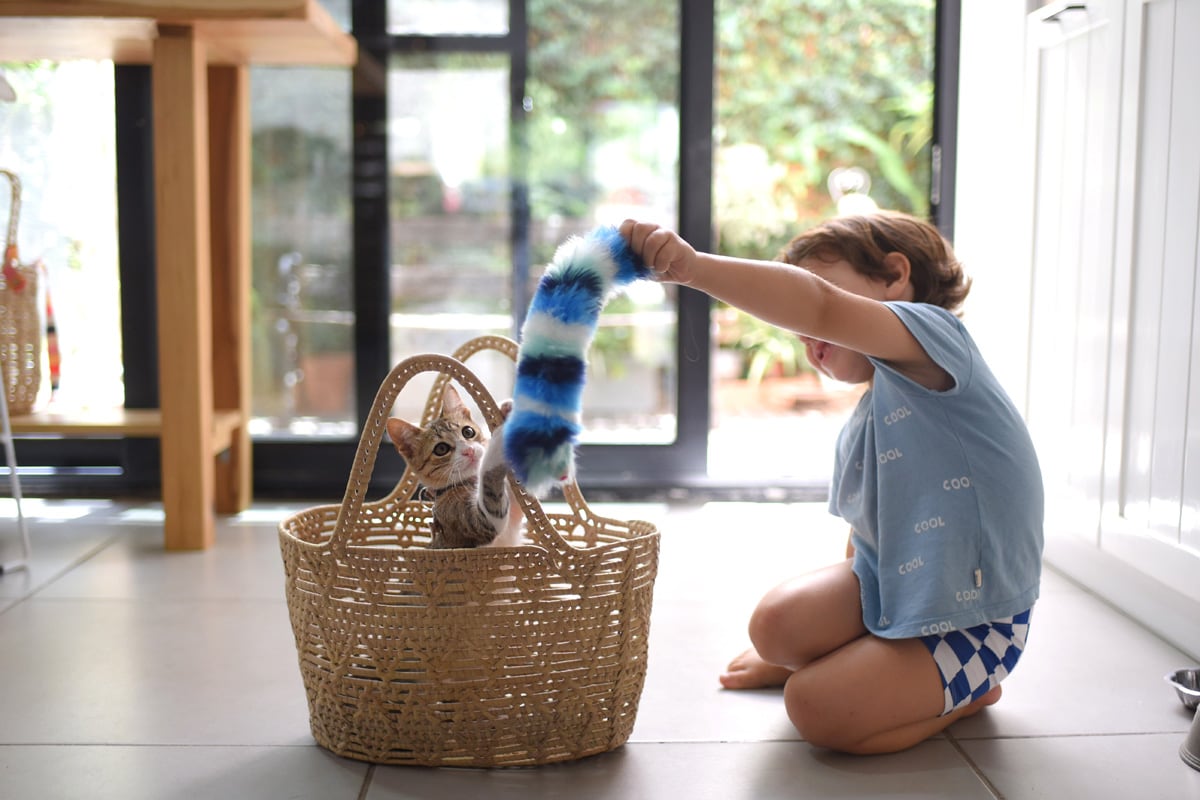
column 943, row 490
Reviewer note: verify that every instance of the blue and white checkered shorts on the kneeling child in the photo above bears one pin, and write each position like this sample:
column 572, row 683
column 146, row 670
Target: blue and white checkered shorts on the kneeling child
column 975, row 660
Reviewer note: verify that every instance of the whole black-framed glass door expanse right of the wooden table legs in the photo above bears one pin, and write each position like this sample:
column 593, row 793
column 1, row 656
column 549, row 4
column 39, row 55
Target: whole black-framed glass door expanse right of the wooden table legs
column 415, row 202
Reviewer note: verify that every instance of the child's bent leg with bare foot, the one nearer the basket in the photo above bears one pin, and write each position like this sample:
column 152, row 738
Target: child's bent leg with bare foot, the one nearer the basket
column 797, row 623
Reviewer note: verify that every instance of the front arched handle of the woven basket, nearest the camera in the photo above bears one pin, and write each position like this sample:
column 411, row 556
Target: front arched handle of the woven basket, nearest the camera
column 373, row 437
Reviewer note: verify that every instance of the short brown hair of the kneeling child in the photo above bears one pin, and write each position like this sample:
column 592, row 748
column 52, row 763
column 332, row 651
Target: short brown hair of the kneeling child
column 863, row 242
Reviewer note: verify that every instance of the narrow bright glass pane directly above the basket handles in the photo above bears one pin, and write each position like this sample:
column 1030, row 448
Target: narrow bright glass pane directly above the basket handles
column 448, row 140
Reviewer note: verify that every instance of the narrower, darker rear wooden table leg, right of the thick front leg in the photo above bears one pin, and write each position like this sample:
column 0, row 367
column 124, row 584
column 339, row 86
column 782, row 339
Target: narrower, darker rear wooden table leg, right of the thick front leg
column 230, row 202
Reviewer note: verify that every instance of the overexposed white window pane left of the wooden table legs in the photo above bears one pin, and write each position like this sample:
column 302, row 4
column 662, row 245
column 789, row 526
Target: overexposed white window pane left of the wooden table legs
column 59, row 139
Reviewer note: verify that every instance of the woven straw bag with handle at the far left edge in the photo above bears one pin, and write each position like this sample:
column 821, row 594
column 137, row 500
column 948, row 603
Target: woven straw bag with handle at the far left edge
column 21, row 327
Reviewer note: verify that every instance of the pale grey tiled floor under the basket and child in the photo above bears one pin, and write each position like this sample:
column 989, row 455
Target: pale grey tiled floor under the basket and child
column 127, row 672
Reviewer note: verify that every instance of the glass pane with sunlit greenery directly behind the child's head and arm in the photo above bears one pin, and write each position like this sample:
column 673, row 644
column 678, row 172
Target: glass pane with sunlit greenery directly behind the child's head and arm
column 814, row 101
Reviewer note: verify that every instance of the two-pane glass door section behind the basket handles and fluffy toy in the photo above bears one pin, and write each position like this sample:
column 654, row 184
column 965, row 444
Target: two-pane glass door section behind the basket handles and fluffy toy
column 512, row 128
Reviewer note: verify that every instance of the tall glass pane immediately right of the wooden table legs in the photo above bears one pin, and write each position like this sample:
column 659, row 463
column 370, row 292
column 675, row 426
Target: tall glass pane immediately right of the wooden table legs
column 303, row 239
